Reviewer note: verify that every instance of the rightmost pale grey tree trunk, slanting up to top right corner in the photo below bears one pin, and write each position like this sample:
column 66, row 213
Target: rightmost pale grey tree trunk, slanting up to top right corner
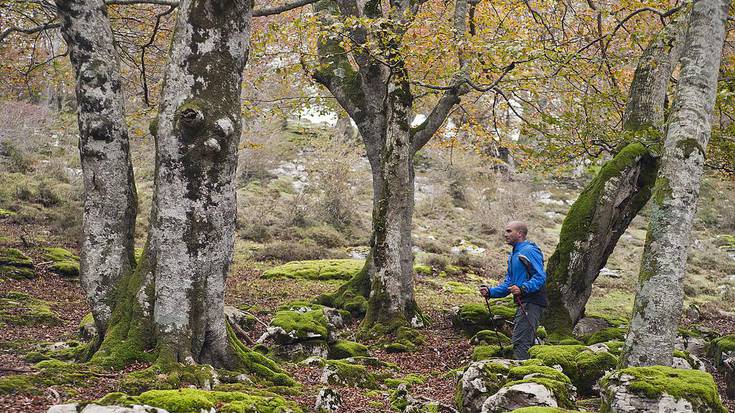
column 660, row 294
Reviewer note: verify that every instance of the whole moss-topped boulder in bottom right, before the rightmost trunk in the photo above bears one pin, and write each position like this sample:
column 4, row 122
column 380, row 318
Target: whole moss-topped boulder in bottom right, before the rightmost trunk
column 659, row 388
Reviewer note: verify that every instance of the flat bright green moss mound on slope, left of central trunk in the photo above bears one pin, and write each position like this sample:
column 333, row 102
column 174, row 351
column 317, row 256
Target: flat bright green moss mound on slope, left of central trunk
column 317, row 270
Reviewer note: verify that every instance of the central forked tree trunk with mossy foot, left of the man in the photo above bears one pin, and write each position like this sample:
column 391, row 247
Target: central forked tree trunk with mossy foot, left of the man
column 378, row 98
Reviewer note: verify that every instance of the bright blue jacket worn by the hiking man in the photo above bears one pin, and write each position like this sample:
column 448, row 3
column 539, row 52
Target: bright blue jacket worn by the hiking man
column 533, row 282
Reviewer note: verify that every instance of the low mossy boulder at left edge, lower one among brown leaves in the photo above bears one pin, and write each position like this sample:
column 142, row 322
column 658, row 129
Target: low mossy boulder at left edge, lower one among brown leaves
column 21, row 309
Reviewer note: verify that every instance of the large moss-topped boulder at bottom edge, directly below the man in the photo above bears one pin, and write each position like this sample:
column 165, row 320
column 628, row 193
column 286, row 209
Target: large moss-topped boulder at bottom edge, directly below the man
column 478, row 389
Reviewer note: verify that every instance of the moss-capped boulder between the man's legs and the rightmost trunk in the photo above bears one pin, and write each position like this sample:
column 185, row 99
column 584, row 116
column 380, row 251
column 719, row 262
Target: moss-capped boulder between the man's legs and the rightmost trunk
column 583, row 365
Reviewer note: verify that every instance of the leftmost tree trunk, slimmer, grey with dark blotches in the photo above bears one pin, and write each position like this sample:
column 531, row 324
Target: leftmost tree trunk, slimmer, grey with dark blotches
column 109, row 189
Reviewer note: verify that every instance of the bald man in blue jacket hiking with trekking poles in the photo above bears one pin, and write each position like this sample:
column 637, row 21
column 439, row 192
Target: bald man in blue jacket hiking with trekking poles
column 526, row 280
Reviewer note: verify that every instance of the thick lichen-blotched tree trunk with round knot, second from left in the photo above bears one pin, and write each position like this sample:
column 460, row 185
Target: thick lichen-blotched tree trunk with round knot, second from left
column 193, row 218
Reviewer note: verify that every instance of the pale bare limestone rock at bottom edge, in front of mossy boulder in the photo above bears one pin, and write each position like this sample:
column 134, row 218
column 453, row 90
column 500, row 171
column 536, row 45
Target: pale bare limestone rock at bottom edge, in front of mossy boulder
column 517, row 396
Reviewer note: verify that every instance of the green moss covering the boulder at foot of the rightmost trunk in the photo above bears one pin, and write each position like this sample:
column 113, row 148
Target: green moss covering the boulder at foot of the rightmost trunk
column 695, row 386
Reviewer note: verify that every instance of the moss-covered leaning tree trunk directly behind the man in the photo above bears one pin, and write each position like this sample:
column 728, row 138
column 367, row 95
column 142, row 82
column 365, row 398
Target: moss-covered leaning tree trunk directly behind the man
column 623, row 186
